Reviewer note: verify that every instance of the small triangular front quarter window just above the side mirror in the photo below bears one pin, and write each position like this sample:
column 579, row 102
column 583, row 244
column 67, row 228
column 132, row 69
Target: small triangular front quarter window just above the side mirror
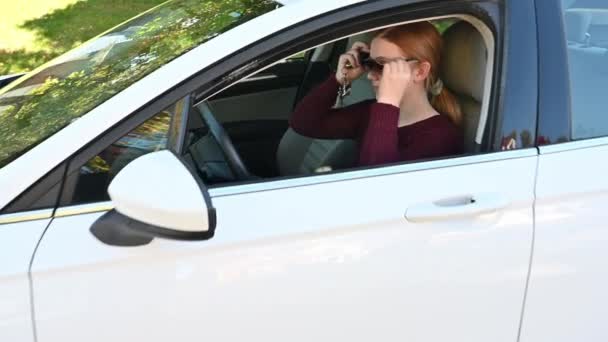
column 90, row 182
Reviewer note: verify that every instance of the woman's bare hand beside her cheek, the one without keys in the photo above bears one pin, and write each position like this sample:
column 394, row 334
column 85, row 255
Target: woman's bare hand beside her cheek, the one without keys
column 396, row 78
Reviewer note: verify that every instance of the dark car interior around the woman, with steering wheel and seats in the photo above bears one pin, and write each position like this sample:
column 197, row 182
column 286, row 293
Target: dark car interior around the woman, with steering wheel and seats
column 242, row 133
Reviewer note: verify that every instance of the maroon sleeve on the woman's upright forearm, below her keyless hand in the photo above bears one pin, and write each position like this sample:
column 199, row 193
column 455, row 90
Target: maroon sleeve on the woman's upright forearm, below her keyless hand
column 380, row 141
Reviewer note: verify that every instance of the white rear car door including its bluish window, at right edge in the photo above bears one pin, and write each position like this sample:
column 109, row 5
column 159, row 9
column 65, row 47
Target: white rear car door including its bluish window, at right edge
column 567, row 298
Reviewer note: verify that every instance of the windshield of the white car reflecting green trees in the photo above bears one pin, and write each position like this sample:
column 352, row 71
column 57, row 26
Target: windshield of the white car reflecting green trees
column 48, row 99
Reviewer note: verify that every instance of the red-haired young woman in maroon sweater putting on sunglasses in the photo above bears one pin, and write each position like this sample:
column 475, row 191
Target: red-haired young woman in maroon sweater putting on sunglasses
column 413, row 116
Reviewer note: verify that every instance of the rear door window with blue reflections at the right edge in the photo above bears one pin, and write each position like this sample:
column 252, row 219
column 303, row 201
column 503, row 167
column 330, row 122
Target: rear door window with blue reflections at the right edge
column 586, row 25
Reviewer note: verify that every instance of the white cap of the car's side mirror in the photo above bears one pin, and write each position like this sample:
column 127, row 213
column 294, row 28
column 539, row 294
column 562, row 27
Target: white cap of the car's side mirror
column 175, row 201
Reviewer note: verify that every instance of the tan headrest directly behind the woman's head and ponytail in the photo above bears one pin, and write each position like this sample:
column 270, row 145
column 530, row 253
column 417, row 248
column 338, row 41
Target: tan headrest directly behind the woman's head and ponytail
column 464, row 60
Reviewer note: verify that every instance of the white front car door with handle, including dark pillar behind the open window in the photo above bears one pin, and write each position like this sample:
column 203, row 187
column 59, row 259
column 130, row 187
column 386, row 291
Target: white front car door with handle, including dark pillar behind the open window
column 426, row 251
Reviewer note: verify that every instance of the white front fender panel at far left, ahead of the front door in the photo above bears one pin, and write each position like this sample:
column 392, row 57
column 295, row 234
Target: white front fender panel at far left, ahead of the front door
column 18, row 242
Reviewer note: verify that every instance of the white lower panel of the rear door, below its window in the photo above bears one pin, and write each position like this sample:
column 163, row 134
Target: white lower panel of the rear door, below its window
column 568, row 296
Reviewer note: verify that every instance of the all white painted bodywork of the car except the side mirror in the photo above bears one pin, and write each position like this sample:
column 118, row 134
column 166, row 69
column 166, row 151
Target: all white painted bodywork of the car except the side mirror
column 333, row 260
